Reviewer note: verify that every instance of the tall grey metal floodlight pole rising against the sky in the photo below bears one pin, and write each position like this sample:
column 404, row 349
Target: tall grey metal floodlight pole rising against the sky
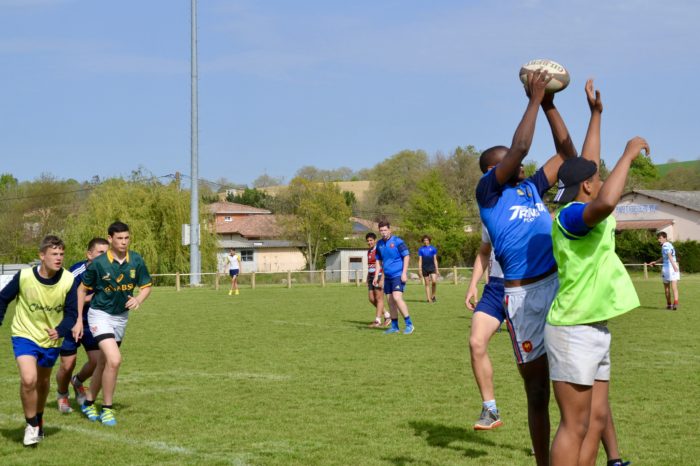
column 195, row 263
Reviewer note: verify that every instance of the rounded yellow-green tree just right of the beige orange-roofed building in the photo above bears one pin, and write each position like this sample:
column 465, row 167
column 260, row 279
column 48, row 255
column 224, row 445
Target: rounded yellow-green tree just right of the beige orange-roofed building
column 320, row 217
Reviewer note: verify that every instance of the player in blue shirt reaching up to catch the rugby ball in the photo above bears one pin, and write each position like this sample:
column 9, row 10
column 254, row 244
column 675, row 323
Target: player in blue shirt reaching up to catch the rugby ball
column 520, row 226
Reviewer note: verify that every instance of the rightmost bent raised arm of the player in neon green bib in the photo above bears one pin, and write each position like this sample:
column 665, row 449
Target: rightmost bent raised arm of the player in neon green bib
column 609, row 195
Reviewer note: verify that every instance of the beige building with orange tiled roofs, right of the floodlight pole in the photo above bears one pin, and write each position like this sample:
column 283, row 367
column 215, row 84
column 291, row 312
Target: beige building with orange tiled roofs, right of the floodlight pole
column 257, row 238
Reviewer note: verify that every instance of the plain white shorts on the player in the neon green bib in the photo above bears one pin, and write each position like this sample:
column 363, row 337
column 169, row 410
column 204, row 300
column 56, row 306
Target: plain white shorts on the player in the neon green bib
column 578, row 354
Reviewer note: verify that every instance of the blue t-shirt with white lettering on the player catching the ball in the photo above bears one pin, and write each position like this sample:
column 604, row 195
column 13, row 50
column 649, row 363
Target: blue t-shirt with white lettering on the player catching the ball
column 518, row 223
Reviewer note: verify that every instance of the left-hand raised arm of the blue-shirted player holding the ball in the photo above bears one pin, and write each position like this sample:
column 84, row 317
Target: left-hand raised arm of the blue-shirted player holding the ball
column 522, row 139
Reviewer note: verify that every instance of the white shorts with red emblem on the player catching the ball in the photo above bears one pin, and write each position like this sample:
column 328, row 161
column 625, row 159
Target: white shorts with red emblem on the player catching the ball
column 526, row 313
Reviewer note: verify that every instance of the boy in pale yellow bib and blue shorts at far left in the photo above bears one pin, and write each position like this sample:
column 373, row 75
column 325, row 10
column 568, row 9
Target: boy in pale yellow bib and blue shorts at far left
column 44, row 314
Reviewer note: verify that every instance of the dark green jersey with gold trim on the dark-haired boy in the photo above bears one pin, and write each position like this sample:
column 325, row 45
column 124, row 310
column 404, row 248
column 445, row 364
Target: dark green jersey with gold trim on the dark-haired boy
column 113, row 282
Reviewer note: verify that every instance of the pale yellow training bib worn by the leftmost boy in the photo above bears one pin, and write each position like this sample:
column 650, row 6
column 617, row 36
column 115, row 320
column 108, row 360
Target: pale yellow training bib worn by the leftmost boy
column 41, row 306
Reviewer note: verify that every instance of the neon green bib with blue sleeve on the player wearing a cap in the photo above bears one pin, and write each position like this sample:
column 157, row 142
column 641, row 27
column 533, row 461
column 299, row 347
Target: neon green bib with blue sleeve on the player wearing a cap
column 593, row 284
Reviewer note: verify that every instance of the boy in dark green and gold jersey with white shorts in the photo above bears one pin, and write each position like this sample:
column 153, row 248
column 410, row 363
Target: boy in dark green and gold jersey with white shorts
column 113, row 277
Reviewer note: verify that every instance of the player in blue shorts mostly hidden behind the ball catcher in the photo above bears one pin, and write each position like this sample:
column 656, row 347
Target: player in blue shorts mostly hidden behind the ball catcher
column 486, row 320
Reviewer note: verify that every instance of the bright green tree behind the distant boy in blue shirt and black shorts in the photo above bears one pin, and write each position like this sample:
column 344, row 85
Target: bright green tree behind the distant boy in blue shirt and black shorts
column 432, row 211
